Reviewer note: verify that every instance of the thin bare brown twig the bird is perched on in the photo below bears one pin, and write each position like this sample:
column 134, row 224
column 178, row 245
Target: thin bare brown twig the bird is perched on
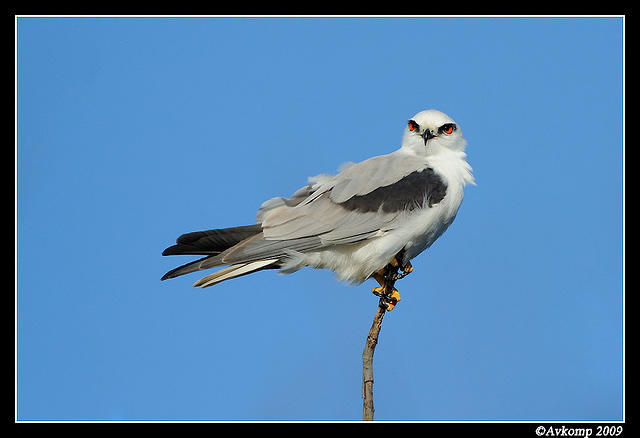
column 372, row 340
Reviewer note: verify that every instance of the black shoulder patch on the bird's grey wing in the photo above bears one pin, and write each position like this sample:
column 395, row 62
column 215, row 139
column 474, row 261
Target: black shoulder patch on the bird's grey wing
column 409, row 193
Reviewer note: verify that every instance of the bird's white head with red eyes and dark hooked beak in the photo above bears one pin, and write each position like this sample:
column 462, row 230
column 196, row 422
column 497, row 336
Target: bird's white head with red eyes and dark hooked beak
column 430, row 132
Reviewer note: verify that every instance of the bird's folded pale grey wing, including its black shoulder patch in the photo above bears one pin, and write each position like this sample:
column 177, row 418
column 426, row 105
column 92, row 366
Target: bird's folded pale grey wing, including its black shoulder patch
column 352, row 206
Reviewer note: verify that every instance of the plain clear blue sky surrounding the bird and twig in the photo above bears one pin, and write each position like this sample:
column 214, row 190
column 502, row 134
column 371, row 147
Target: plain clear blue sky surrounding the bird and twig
column 132, row 131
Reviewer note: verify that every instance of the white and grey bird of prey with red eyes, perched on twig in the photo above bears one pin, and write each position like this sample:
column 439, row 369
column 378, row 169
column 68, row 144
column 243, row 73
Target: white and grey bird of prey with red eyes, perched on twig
column 360, row 223
